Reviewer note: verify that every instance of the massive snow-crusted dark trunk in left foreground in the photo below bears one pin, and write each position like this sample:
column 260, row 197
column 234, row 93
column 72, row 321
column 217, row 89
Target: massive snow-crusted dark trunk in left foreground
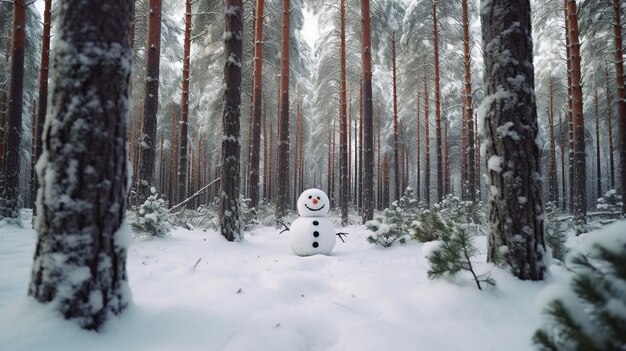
column 80, row 258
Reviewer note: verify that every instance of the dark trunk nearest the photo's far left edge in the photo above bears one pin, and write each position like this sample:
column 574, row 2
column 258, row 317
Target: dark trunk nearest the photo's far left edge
column 11, row 192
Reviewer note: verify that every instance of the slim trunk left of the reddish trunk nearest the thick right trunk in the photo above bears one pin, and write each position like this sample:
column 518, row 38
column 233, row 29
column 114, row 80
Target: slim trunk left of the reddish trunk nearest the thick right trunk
column 438, row 139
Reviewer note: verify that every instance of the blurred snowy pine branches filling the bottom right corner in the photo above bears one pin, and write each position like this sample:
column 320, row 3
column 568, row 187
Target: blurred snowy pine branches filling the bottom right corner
column 595, row 318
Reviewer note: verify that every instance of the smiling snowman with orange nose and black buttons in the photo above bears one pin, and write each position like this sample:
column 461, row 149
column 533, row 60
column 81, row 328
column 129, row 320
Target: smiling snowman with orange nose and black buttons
column 313, row 233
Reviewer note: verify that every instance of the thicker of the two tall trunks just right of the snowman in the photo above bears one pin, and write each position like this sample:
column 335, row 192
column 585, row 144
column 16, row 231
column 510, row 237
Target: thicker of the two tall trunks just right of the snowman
column 368, row 113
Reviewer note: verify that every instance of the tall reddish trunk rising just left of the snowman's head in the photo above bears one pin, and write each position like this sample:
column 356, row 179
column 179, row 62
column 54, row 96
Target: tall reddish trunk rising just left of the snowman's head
column 283, row 148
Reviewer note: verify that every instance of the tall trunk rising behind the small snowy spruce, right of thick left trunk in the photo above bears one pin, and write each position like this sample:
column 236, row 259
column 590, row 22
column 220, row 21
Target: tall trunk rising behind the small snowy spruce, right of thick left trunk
column 151, row 103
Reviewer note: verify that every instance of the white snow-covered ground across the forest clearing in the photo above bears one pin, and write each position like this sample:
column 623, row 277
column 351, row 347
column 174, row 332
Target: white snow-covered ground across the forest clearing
column 257, row 295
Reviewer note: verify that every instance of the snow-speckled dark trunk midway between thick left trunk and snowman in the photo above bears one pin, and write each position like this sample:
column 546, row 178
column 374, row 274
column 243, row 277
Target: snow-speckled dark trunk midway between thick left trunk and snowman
column 230, row 210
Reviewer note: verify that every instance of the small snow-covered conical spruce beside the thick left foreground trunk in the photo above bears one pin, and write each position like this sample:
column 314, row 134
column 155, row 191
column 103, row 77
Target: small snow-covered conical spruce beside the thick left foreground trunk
column 152, row 218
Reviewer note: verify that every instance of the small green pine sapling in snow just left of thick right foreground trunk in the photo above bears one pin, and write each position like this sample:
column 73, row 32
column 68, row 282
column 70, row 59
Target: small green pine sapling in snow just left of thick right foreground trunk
column 453, row 256
